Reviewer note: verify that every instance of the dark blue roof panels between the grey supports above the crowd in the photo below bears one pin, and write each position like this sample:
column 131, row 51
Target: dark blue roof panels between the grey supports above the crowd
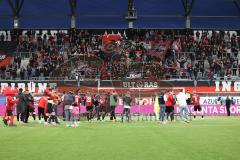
column 110, row 14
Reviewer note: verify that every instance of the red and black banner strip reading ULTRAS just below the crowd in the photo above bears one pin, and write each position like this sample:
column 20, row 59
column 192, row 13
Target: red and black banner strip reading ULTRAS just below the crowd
column 203, row 86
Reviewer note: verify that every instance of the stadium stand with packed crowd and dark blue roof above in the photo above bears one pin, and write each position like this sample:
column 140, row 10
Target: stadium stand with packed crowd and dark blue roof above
column 207, row 51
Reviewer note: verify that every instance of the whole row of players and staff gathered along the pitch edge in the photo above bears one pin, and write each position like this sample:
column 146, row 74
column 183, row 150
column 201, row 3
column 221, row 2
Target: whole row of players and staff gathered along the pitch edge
column 97, row 105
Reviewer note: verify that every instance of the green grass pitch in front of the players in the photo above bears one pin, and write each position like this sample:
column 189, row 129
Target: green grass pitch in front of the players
column 211, row 138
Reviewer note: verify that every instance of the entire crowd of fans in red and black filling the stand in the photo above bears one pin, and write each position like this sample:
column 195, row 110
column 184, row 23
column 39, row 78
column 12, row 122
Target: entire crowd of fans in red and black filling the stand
column 190, row 56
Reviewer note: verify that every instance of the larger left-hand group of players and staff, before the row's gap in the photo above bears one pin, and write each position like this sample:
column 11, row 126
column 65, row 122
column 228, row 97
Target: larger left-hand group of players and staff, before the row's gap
column 97, row 105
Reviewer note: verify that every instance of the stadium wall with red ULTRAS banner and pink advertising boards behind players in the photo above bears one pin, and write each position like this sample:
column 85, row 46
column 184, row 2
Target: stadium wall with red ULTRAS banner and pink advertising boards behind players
column 209, row 90
